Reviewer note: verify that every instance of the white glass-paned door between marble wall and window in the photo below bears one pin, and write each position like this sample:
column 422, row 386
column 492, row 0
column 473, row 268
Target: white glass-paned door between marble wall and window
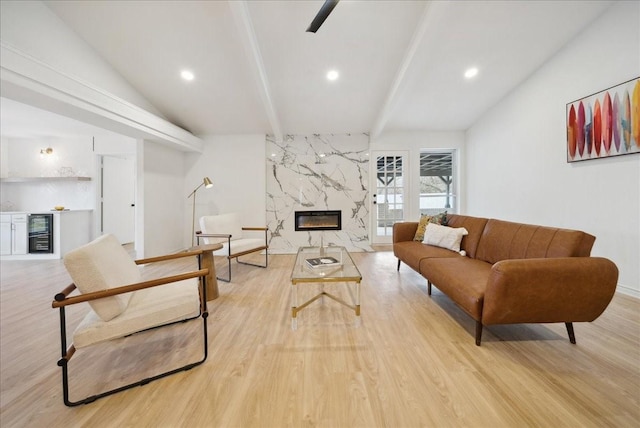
column 390, row 193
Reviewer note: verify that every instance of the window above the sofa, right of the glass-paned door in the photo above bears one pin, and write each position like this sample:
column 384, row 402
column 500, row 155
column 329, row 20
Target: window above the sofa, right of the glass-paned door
column 437, row 189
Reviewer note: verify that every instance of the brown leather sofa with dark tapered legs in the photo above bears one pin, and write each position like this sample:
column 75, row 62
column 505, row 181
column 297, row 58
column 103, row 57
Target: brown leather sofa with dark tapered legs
column 513, row 273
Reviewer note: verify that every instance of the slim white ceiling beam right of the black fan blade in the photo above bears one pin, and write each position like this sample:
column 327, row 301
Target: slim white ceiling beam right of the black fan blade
column 392, row 96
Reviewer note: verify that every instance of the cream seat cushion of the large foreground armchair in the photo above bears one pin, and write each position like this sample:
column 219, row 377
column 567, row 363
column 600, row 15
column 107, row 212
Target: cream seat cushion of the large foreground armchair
column 148, row 308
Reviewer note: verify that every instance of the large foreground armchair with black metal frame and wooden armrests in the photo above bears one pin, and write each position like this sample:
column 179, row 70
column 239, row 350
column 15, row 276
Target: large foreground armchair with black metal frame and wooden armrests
column 121, row 304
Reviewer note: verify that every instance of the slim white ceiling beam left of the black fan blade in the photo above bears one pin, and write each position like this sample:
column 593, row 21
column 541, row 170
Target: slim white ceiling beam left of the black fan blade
column 240, row 11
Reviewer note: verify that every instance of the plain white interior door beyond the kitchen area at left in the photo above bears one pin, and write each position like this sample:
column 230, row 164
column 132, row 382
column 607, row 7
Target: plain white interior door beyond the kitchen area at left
column 118, row 198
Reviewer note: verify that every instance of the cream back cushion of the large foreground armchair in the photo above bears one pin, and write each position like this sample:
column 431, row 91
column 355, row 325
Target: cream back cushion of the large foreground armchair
column 100, row 265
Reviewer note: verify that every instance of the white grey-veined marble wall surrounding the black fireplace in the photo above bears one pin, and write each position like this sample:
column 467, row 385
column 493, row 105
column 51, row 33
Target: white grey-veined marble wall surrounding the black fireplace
column 318, row 172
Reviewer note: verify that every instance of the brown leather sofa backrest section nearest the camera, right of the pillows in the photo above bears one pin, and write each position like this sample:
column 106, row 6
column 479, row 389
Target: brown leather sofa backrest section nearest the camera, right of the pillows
column 503, row 240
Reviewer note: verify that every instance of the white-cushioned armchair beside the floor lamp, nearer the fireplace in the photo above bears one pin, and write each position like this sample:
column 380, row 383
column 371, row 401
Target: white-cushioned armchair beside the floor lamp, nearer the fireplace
column 225, row 229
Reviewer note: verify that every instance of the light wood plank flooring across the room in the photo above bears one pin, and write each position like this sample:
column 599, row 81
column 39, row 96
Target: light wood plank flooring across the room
column 411, row 363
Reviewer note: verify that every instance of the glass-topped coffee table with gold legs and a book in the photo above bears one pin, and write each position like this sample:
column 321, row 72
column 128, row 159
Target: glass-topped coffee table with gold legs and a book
column 322, row 265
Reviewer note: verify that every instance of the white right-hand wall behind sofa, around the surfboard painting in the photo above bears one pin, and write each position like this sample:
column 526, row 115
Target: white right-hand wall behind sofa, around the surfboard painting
column 516, row 153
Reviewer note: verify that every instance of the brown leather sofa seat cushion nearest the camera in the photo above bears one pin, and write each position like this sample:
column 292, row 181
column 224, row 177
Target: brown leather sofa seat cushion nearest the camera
column 463, row 279
